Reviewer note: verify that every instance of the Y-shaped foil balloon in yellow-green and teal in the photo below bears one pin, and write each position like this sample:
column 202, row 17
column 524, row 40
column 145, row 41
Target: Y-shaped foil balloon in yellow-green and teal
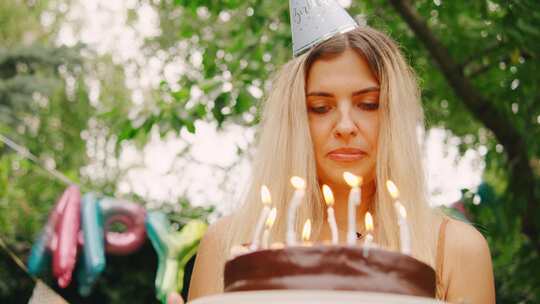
column 174, row 249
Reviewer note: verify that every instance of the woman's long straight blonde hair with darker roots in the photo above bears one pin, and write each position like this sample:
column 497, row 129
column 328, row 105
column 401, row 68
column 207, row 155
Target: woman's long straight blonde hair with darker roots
column 285, row 148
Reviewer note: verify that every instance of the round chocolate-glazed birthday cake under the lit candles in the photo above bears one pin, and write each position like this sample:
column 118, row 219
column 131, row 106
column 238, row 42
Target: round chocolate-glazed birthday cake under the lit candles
column 330, row 268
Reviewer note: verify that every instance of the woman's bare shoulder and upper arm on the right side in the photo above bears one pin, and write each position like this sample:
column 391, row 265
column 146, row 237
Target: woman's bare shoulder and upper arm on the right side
column 468, row 261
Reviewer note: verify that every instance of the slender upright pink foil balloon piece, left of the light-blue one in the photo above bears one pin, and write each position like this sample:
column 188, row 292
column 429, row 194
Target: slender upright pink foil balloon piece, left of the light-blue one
column 66, row 221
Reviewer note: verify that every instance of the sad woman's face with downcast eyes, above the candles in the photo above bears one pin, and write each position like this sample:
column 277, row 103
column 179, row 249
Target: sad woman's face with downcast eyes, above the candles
column 342, row 97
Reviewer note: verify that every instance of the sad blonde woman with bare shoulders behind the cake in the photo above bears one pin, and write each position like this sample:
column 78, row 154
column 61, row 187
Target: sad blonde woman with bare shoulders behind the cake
column 350, row 104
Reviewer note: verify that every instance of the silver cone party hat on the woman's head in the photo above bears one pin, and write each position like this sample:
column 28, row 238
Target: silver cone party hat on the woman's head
column 314, row 21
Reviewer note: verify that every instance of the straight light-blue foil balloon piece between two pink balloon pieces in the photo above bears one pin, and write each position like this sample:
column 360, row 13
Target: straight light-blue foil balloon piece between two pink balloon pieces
column 92, row 261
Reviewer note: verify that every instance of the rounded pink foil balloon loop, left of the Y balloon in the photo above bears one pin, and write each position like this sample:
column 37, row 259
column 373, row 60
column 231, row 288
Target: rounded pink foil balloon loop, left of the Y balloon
column 129, row 215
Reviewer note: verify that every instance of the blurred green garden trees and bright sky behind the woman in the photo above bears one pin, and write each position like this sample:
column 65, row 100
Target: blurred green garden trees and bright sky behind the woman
column 158, row 102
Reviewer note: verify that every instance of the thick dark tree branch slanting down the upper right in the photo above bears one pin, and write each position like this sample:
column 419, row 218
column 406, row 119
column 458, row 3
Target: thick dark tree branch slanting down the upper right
column 521, row 180
